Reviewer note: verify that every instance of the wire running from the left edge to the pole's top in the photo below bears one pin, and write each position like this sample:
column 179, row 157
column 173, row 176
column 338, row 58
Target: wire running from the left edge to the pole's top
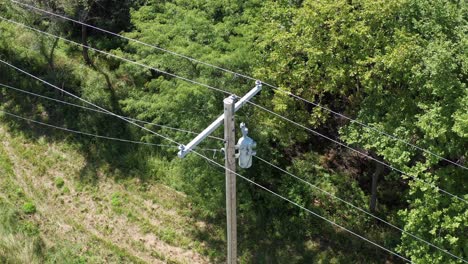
column 115, row 56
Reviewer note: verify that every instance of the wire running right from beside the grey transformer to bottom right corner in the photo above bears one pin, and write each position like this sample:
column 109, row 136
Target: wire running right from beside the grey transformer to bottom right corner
column 359, row 208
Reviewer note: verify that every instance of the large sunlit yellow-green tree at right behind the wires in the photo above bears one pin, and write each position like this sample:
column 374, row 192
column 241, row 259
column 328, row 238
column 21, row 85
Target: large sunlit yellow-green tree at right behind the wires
column 399, row 66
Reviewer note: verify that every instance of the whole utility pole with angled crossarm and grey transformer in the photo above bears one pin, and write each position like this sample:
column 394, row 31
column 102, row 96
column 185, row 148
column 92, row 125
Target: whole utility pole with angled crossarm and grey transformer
column 245, row 147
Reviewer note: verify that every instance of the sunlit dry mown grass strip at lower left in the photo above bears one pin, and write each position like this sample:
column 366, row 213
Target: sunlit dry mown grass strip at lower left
column 70, row 211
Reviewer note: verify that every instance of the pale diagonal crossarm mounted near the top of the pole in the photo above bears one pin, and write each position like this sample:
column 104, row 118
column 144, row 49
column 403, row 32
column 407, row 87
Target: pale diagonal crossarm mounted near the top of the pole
column 185, row 149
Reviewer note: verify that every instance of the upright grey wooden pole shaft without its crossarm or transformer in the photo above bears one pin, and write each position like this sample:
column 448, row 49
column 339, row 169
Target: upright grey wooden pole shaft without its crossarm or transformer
column 230, row 163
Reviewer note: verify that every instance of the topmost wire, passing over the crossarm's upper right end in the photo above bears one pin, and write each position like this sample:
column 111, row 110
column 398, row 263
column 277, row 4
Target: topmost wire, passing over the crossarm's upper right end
column 249, row 78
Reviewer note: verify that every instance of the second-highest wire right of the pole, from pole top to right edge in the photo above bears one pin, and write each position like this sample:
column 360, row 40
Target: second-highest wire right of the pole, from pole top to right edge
column 357, row 151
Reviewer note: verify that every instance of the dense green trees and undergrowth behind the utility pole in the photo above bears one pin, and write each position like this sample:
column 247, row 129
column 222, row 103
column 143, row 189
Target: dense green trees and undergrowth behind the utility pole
column 399, row 66
